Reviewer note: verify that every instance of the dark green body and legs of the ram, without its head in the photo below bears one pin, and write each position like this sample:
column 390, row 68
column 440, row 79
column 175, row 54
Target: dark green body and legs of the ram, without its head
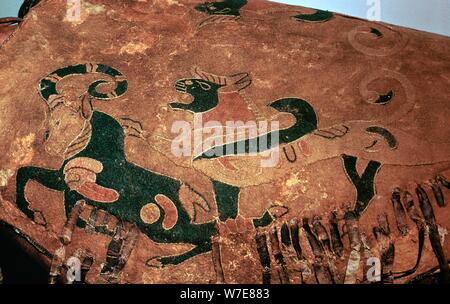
column 136, row 188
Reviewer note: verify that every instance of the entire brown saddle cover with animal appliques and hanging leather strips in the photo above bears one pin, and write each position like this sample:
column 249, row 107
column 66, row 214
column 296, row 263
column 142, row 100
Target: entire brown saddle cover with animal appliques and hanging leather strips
column 232, row 141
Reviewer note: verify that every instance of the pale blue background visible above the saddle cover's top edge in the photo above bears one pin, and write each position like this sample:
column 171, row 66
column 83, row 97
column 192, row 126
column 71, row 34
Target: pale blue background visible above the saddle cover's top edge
column 427, row 15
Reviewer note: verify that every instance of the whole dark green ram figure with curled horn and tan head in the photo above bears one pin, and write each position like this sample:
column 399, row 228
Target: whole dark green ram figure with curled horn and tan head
column 95, row 169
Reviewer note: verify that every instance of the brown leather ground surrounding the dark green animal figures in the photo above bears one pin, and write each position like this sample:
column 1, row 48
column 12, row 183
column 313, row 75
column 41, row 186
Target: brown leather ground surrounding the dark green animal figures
column 339, row 67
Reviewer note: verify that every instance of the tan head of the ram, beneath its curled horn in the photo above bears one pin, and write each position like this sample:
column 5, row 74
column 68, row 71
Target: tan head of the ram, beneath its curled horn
column 65, row 125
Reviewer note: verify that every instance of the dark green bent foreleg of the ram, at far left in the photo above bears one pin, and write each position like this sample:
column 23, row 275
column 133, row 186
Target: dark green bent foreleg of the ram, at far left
column 49, row 178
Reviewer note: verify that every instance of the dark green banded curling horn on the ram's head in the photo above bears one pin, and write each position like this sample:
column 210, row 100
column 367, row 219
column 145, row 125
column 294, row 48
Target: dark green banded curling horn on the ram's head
column 48, row 85
